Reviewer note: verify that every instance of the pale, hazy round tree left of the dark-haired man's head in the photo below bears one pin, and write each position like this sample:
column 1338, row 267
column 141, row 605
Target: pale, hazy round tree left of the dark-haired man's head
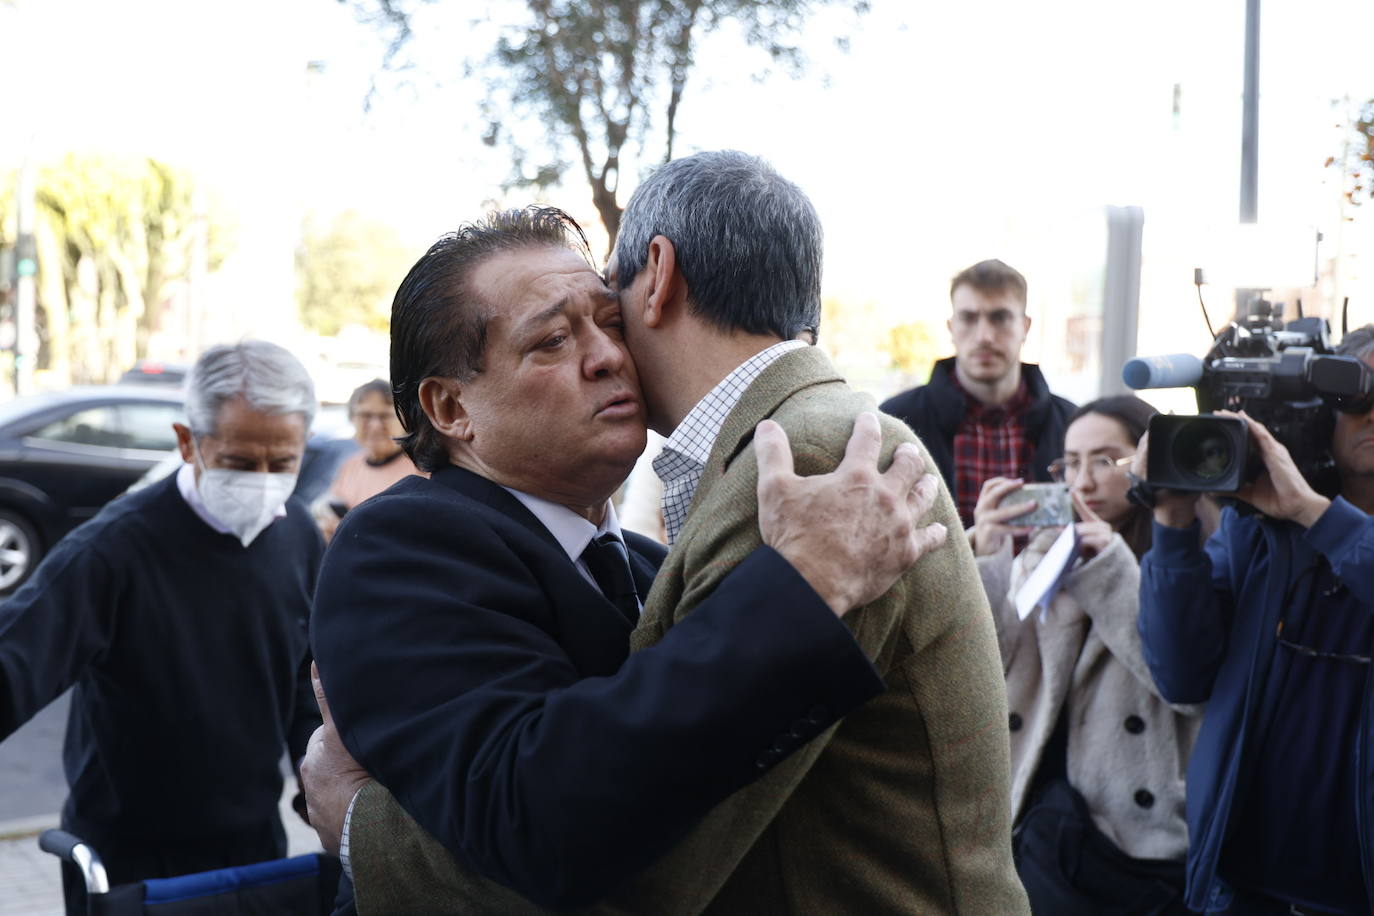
column 347, row 273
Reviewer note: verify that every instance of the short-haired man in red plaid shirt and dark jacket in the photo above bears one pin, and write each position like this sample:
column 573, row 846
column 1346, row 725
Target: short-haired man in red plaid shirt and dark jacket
column 986, row 414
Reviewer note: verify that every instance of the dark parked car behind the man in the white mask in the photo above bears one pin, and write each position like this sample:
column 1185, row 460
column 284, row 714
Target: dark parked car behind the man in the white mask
column 67, row 454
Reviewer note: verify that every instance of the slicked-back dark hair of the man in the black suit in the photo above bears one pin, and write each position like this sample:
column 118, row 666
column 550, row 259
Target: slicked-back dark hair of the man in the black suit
column 439, row 322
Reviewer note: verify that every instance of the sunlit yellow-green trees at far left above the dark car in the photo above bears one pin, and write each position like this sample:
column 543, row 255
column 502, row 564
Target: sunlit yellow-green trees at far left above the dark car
column 113, row 234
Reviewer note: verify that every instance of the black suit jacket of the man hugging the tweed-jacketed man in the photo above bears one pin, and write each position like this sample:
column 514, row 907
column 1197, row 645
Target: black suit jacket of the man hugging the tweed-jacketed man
column 488, row 686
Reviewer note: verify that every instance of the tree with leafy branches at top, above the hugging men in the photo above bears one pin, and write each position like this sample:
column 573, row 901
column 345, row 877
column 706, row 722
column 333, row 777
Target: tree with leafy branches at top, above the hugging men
column 601, row 76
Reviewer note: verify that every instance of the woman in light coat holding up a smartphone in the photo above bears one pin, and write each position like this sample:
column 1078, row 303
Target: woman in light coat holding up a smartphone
column 1097, row 756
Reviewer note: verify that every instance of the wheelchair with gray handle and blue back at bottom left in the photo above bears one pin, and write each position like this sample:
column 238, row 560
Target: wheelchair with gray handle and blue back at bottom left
column 297, row 886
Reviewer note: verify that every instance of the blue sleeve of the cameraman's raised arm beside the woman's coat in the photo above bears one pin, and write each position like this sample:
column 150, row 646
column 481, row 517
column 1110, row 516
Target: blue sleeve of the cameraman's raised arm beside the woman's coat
column 1188, row 608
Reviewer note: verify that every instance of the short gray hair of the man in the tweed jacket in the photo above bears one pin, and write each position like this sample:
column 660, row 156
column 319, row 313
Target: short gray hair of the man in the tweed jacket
column 747, row 241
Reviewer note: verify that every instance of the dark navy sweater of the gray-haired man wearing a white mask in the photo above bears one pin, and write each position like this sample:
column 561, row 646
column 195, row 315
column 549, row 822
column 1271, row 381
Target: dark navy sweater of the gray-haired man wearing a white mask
column 189, row 656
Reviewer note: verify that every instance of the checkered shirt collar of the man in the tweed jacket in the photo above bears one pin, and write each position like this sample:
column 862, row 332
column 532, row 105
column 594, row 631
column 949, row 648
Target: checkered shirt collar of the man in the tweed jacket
column 686, row 453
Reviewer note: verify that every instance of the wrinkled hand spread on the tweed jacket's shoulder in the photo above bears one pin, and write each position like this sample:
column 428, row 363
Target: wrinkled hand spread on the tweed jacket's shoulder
column 854, row 532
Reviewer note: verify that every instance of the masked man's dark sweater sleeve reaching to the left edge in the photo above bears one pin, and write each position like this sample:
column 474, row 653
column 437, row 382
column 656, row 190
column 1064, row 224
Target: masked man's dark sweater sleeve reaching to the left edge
column 60, row 623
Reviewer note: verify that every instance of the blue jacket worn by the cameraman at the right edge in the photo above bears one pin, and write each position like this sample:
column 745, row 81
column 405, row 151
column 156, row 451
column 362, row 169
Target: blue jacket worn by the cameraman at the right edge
column 1208, row 619
